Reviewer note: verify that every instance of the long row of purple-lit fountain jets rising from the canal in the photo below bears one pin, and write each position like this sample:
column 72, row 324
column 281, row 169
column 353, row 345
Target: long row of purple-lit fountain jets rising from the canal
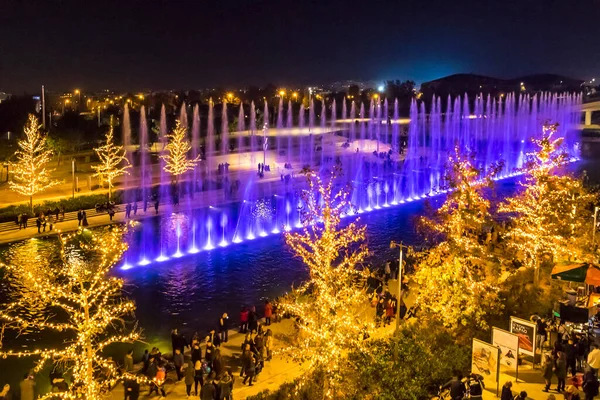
column 389, row 160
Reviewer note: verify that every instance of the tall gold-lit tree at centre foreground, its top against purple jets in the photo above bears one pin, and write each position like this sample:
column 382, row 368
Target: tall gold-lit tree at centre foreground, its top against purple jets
column 328, row 306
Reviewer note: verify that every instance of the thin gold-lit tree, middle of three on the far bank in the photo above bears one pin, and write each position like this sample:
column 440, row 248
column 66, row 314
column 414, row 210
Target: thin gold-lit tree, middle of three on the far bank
column 113, row 161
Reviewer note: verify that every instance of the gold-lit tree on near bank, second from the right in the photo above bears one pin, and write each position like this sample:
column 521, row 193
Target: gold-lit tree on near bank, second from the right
column 457, row 277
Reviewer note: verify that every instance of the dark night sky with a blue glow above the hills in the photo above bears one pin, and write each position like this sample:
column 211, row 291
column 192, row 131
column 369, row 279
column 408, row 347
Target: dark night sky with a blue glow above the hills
column 133, row 45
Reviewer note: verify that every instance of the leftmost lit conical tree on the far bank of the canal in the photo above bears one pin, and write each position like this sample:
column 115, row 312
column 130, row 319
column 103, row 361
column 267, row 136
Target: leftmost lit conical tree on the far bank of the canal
column 30, row 173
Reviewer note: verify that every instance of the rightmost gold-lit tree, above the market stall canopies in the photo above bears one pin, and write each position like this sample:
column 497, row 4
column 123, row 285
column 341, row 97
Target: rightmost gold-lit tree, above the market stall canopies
column 552, row 213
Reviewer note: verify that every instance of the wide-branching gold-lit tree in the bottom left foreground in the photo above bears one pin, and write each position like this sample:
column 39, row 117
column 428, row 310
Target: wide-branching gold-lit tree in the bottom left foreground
column 77, row 299
